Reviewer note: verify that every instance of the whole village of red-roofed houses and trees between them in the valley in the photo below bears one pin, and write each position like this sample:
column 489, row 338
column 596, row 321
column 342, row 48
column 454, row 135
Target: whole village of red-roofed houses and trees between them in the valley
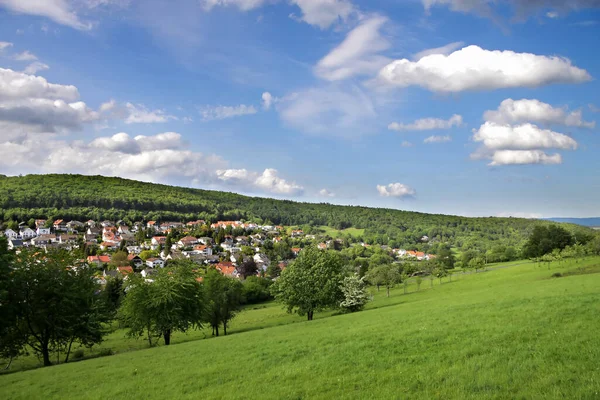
column 150, row 245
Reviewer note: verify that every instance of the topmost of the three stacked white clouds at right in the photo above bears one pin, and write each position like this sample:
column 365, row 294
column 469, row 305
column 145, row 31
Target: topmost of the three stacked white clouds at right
column 518, row 111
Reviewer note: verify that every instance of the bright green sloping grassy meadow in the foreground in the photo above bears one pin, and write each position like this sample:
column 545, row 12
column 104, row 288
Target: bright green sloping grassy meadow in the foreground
column 512, row 332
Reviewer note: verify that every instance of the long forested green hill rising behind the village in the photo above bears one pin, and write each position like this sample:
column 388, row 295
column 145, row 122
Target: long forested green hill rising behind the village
column 83, row 197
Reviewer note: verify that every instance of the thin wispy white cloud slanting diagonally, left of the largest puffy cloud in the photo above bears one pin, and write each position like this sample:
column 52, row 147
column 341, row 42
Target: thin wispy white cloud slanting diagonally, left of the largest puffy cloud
column 357, row 54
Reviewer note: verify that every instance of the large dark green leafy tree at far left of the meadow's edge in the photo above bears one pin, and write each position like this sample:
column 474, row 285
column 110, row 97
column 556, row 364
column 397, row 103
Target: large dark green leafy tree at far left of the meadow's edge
column 56, row 304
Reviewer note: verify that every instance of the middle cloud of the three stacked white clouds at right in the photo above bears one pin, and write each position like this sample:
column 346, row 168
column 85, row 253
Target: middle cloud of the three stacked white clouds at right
column 521, row 137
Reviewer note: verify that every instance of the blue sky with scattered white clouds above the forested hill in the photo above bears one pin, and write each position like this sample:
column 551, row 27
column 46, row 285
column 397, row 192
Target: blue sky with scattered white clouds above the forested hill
column 469, row 107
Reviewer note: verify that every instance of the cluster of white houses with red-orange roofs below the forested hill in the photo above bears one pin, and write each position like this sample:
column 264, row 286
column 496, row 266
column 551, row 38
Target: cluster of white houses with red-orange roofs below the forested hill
column 110, row 236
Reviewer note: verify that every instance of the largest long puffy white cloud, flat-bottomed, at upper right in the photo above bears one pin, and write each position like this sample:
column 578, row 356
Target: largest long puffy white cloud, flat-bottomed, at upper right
column 473, row 68
